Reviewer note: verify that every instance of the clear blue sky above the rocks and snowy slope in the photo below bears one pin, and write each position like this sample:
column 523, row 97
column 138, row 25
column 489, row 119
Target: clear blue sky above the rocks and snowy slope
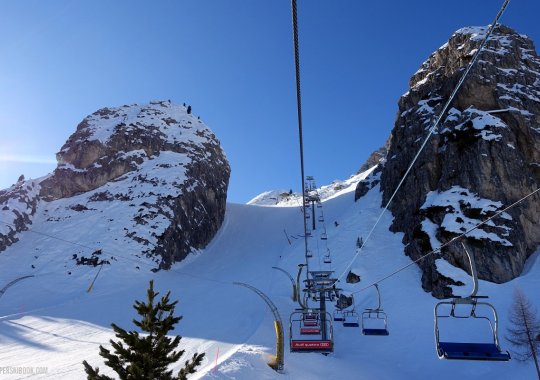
column 232, row 60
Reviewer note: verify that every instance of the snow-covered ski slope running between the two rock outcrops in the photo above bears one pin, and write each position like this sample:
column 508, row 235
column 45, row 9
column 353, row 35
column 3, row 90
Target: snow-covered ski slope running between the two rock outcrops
column 49, row 323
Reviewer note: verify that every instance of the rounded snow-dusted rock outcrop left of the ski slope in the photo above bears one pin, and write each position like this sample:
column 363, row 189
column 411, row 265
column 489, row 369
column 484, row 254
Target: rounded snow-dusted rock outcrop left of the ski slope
column 152, row 174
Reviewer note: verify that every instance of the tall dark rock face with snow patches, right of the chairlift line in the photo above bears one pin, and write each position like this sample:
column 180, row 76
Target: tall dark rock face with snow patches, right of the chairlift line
column 484, row 156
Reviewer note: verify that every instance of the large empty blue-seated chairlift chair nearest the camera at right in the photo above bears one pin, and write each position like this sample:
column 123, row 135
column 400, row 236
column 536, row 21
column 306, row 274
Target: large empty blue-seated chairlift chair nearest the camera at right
column 470, row 351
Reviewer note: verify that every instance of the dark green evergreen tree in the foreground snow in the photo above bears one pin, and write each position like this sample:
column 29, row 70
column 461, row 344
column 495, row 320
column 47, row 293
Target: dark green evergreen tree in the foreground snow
column 148, row 356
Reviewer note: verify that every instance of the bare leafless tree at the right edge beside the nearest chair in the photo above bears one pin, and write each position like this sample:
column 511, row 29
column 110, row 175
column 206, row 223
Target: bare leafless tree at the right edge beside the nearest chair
column 524, row 330
